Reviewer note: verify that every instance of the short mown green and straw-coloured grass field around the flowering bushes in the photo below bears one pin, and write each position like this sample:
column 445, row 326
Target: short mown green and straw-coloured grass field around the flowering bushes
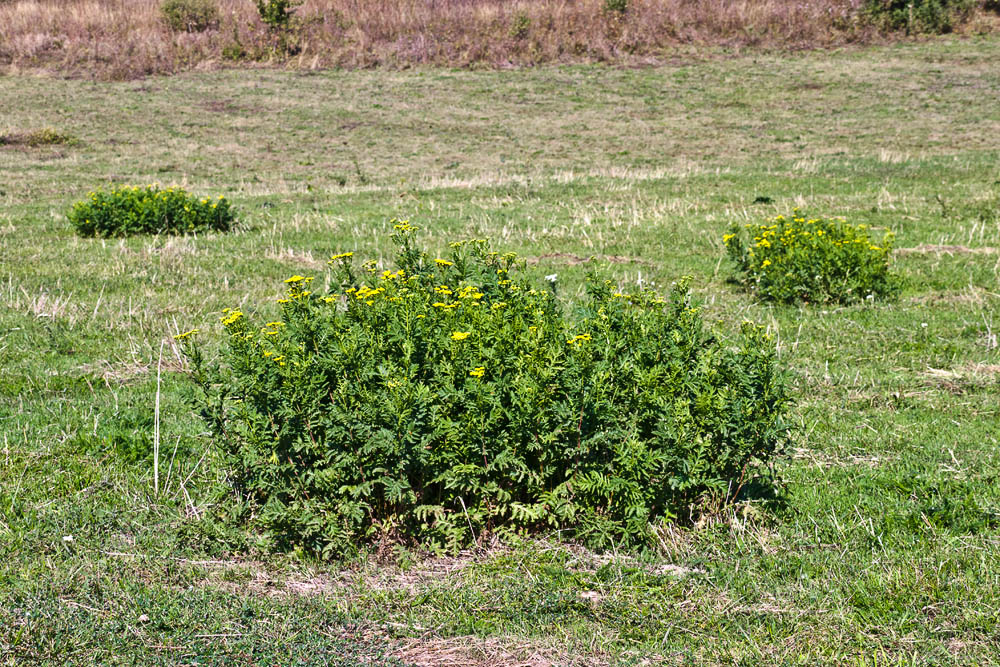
column 884, row 549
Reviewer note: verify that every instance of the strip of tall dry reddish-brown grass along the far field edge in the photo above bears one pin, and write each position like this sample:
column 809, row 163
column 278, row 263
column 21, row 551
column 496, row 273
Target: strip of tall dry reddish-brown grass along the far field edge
column 119, row 39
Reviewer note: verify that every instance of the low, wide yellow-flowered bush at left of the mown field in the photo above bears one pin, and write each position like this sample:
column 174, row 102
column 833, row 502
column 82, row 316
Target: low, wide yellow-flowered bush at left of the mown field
column 127, row 210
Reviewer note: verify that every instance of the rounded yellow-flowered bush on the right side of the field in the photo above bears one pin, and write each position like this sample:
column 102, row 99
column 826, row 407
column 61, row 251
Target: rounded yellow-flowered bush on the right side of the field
column 791, row 259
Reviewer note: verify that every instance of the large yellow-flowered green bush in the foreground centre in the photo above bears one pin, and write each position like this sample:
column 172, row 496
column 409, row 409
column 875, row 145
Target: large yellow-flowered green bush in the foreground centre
column 446, row 399
